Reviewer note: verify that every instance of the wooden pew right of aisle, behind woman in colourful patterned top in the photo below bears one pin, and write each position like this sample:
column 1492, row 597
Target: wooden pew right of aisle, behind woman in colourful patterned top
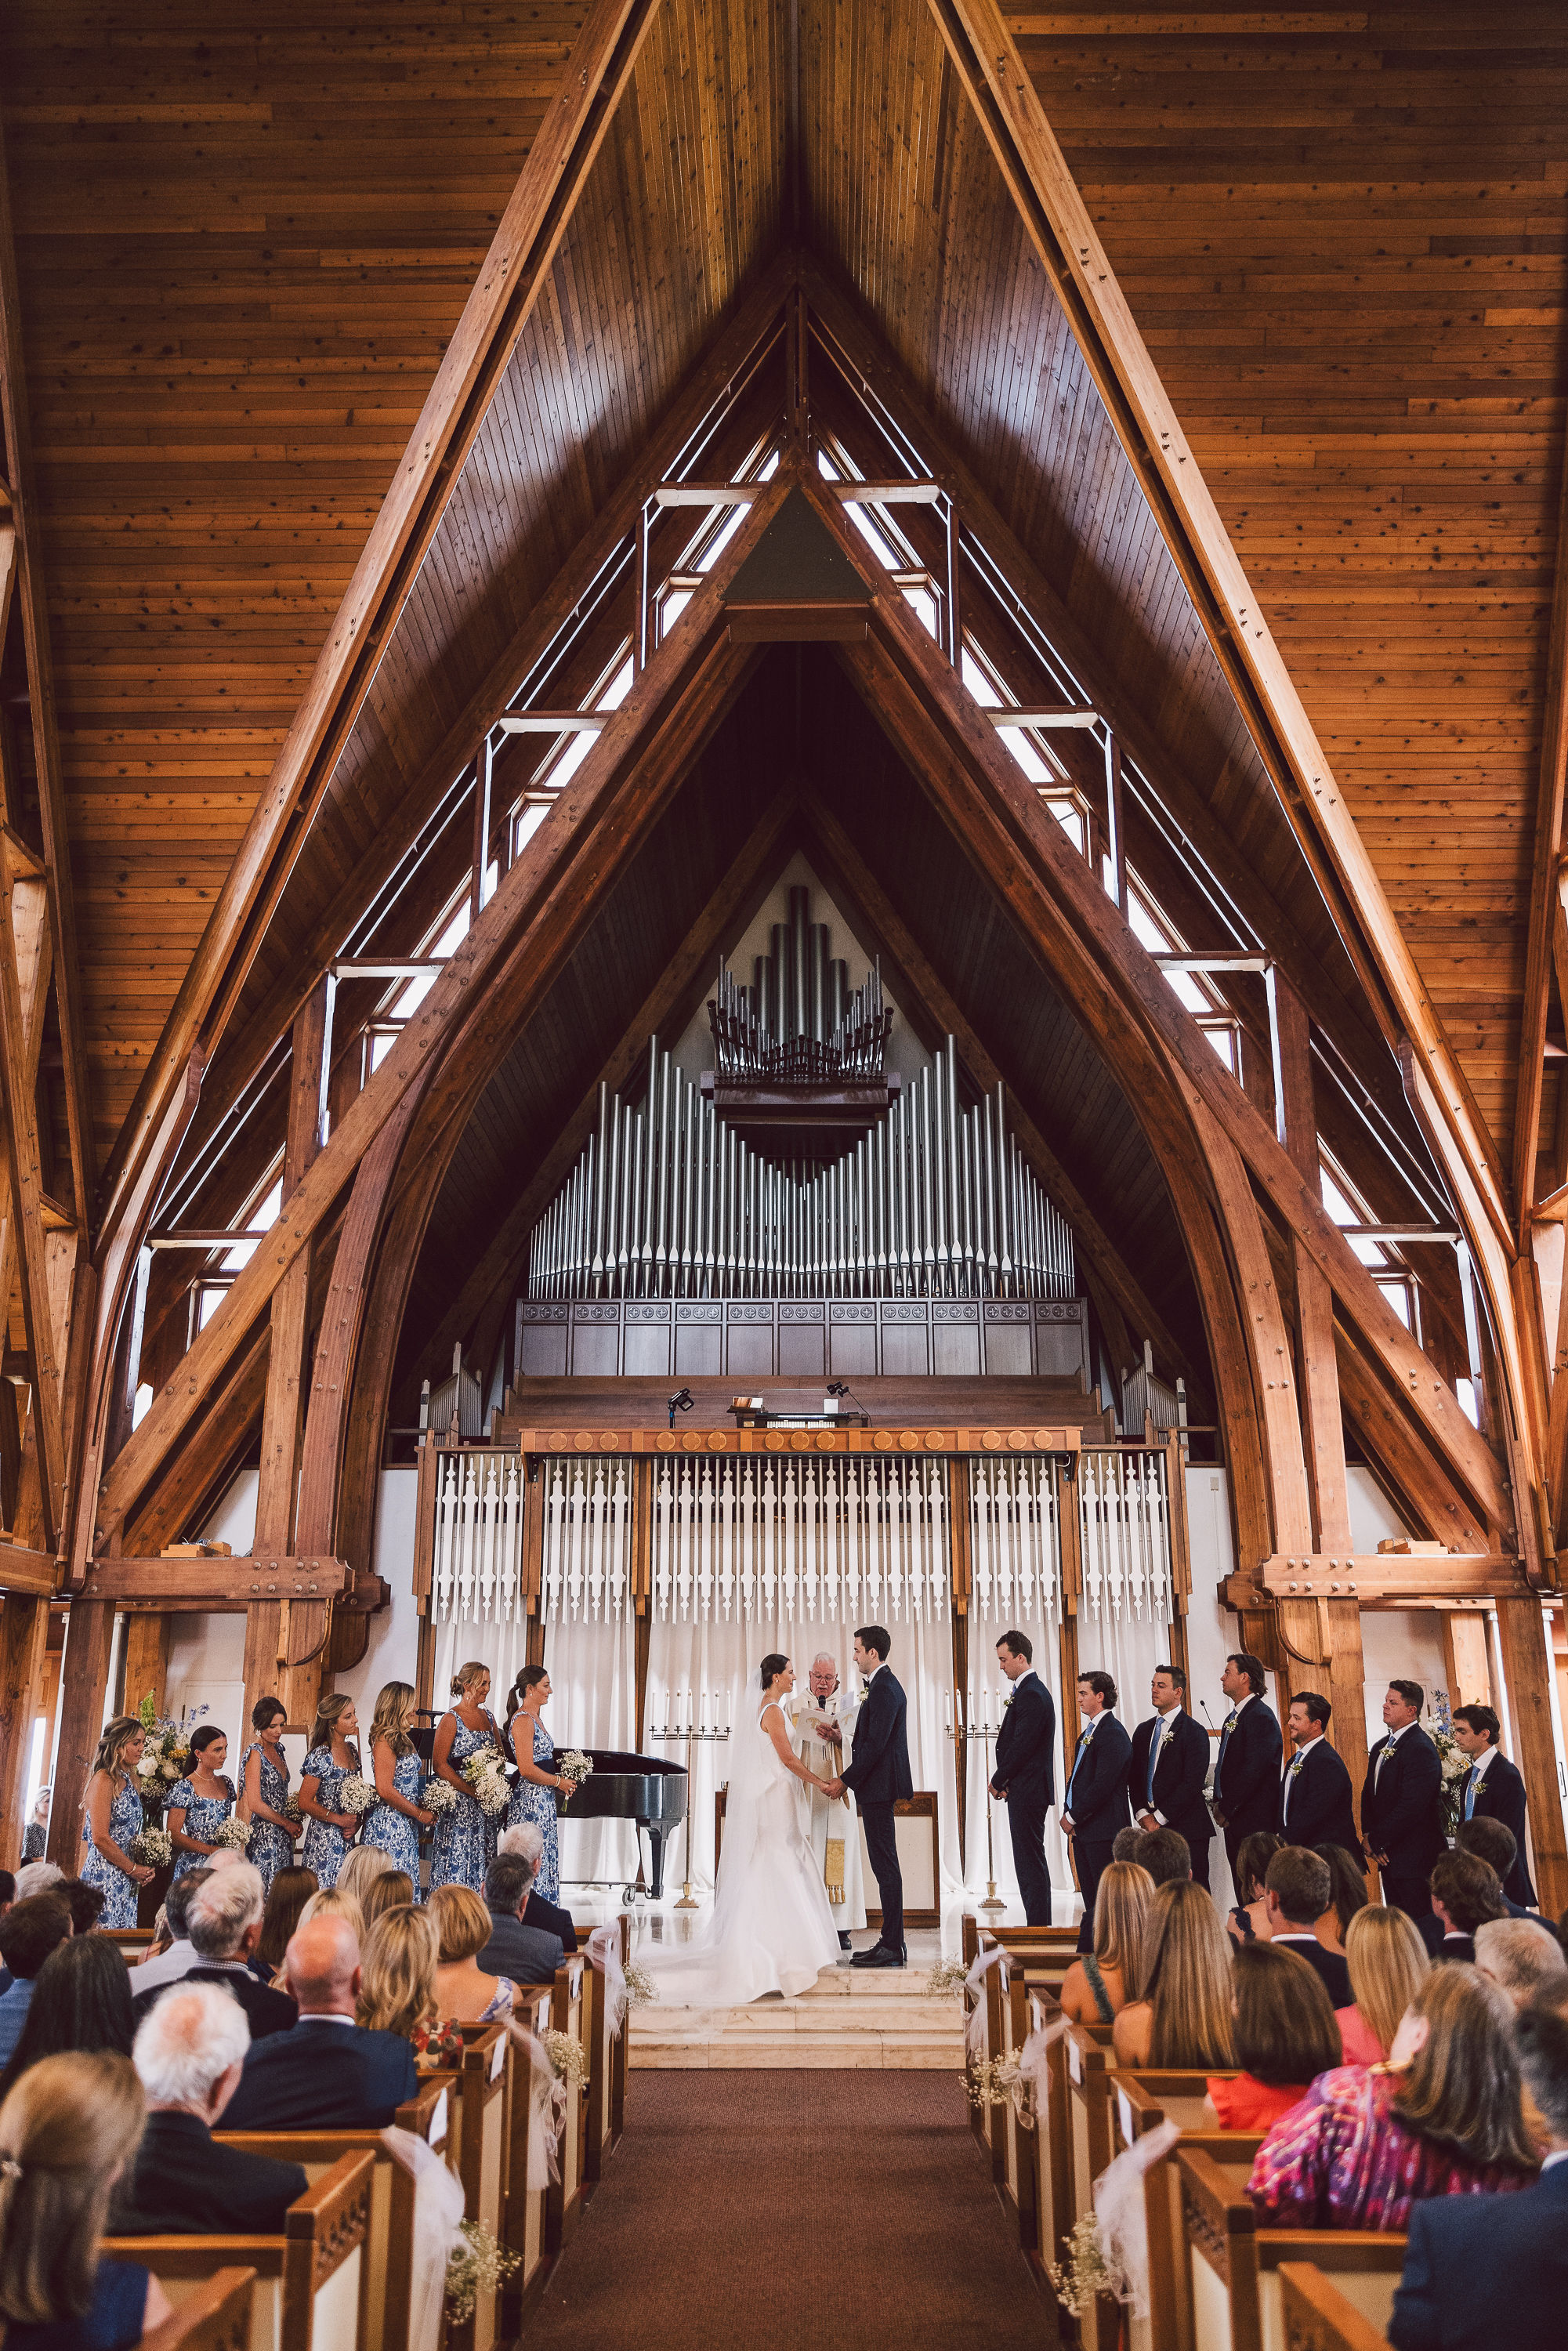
column 1238, row 2300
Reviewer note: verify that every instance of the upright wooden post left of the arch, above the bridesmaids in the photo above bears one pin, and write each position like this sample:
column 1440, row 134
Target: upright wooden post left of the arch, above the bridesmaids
column 272, row 1633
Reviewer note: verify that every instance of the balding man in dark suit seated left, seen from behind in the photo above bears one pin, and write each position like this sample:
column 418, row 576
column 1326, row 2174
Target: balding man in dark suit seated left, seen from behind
column 328, row 2075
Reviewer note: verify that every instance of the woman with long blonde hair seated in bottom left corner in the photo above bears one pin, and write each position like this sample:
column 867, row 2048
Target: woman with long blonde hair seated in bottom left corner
column 67, row 2134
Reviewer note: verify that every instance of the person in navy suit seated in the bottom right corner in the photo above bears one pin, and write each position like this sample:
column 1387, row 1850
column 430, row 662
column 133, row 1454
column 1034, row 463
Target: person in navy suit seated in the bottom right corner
column 1480, row 2270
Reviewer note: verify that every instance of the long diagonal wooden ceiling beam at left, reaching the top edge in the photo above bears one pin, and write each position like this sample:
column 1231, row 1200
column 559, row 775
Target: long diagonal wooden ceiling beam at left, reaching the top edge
column 476, row 359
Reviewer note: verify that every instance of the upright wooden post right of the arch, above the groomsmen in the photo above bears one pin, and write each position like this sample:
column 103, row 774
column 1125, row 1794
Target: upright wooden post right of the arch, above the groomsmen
column 1320, row 1381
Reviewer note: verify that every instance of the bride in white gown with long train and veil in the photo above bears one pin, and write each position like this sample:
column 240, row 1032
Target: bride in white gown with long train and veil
column 772, row 1927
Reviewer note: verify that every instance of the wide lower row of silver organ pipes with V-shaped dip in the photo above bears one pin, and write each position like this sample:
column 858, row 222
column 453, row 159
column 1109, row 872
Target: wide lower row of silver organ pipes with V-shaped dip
column 934, row 1203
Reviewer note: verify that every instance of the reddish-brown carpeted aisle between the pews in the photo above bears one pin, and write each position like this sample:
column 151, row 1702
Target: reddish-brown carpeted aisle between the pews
column 793, row 2213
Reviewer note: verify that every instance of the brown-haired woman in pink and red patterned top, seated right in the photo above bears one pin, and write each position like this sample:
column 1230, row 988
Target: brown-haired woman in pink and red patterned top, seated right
column 1440, row 2119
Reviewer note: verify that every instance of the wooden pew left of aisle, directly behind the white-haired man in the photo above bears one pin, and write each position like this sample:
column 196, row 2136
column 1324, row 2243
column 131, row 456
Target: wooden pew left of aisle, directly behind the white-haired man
column 311, row 2289
